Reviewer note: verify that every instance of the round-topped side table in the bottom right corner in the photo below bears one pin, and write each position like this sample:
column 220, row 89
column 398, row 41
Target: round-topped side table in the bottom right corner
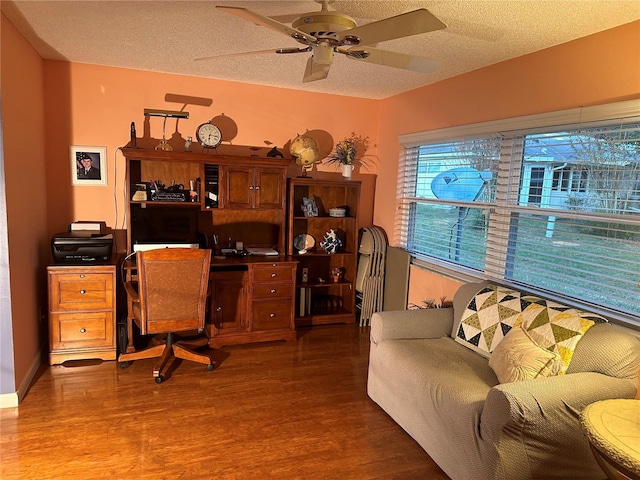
column 613, row 430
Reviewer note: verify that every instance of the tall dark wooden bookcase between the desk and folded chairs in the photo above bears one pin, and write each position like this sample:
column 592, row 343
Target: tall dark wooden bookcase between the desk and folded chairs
column 320, row 300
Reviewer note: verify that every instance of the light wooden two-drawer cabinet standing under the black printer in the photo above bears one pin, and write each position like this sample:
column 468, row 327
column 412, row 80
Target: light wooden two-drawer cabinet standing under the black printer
column 82, row 312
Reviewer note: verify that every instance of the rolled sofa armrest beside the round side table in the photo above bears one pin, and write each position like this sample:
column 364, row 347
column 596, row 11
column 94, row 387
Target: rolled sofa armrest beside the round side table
column 544, row 408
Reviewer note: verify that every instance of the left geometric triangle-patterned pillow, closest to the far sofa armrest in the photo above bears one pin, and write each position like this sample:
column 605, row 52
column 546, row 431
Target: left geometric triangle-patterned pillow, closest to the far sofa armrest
column 490, row 315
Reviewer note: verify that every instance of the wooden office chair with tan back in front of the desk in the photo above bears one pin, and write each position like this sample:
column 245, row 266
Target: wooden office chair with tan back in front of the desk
column 171, row 296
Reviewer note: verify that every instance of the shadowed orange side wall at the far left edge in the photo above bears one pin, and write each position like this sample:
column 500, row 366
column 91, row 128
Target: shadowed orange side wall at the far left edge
column 25, row 183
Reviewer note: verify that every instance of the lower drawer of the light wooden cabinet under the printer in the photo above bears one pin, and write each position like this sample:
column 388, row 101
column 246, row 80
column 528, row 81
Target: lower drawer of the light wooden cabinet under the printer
column 76, row 330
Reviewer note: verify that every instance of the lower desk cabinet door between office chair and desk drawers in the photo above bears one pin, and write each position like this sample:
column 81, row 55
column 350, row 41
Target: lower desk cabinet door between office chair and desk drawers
column 229, row 305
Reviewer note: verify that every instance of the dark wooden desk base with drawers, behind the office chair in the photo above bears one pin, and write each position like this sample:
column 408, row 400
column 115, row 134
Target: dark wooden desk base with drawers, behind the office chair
column 252, row 300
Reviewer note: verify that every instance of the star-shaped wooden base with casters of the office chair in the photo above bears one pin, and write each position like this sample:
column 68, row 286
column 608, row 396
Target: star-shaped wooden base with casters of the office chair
column 166, row 350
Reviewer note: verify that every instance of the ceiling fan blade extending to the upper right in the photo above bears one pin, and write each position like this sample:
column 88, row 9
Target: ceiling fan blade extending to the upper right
column 403, row 25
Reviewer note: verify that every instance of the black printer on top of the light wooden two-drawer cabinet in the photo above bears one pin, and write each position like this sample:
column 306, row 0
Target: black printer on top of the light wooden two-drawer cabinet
column 81, row 245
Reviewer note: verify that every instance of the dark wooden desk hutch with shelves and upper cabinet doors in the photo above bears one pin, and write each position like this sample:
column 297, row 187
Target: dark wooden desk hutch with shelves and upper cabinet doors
column 242, row 198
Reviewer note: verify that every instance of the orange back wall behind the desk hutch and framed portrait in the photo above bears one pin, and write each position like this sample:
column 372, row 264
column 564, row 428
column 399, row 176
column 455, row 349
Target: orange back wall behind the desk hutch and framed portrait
column 94, row 105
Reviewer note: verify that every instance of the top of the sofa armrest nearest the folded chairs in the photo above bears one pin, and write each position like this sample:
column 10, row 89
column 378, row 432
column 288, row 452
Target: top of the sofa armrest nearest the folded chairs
column 421, row 323
